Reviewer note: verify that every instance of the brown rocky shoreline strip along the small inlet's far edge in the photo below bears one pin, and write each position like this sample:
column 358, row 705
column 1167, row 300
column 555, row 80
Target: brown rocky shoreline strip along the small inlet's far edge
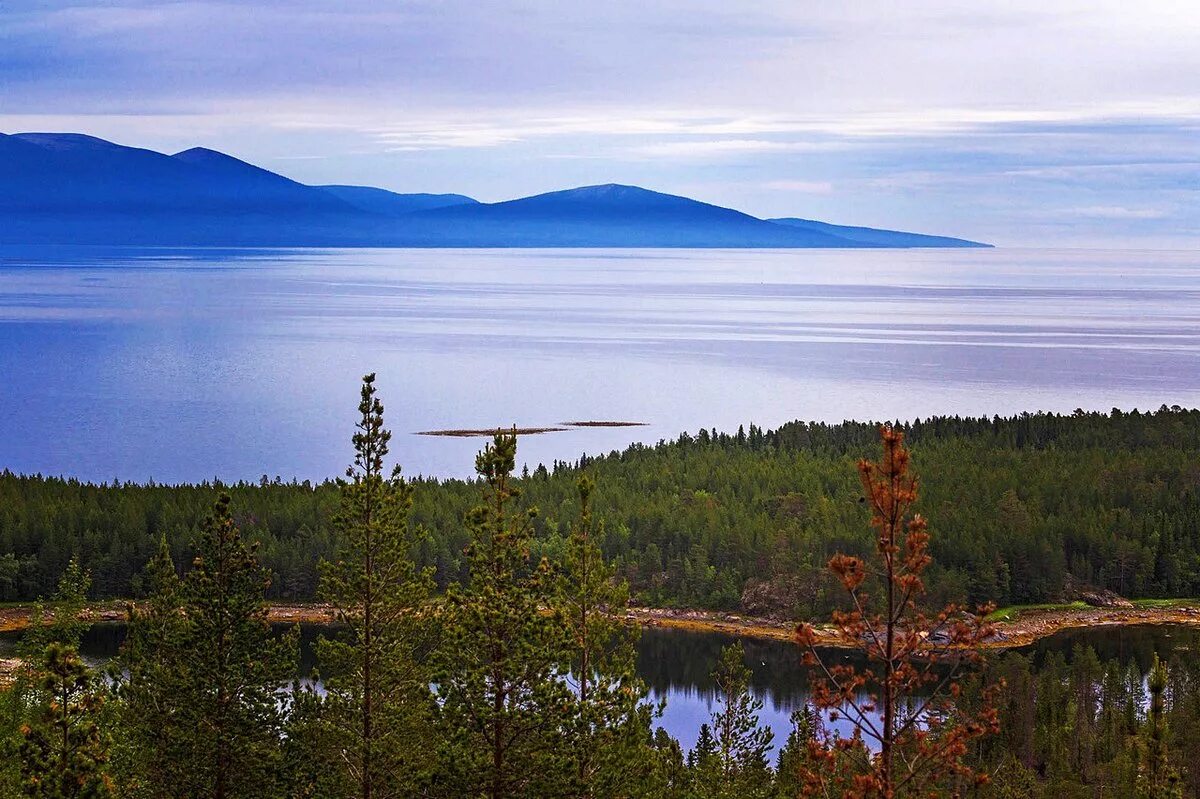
column 1027, row 628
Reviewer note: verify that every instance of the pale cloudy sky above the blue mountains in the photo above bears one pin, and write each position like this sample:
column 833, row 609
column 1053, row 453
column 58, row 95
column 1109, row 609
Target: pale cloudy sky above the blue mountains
column 1049, row 123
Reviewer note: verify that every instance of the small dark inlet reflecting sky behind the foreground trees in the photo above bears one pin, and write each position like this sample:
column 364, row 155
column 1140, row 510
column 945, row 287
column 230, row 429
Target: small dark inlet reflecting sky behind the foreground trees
column 677, row 665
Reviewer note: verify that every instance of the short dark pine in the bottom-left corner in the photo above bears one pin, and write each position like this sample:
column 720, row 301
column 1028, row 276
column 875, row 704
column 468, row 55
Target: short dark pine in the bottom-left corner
column 64, row 754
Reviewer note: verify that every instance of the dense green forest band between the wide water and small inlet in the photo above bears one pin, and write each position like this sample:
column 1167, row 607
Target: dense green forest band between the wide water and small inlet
column 1023, row 508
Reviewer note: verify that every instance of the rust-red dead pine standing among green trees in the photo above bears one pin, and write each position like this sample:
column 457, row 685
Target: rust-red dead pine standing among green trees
column 903, row 701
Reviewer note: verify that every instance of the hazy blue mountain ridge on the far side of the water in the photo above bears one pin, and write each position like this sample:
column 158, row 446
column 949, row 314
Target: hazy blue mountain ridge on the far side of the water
column 77, row 189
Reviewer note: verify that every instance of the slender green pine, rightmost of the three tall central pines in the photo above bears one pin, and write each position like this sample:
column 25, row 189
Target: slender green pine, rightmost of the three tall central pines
column 613, row 719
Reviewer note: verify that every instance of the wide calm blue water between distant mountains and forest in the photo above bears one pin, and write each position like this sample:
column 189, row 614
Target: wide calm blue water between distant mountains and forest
column 191, row 364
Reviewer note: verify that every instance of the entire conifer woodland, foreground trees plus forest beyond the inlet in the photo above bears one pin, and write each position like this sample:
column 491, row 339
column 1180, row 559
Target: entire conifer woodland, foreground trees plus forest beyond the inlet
column 478, row 651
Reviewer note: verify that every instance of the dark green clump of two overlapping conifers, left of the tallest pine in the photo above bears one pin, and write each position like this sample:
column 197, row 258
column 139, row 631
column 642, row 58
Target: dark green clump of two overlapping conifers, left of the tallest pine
column 224, row 674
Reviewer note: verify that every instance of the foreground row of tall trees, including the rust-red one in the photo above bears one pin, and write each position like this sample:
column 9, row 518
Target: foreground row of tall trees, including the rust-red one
column 518, row 681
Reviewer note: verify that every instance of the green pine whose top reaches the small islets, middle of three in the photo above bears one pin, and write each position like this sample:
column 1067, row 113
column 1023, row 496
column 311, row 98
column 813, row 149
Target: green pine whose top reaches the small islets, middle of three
column 506, row 702
